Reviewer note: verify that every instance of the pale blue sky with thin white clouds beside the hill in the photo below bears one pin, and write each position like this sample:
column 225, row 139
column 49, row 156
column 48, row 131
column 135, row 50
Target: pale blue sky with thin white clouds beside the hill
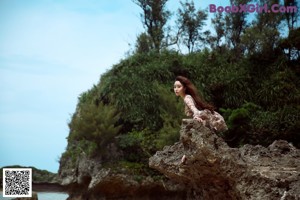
column 50, row 52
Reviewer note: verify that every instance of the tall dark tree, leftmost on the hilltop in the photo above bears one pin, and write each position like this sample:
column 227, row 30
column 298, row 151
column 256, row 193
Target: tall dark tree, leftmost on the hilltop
column 154, row 18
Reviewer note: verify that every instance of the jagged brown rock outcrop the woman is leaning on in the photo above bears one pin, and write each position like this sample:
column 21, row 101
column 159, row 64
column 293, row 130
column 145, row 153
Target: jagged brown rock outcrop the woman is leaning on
column 215, row 171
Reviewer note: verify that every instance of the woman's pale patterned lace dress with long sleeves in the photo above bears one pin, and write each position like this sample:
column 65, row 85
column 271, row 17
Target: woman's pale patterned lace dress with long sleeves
column 212, row 120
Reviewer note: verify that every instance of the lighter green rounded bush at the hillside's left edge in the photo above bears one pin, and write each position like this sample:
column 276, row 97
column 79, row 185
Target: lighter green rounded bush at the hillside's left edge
column 92, row 128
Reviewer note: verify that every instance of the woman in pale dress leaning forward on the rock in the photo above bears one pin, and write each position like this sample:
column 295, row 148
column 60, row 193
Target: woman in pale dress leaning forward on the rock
column 195, row 106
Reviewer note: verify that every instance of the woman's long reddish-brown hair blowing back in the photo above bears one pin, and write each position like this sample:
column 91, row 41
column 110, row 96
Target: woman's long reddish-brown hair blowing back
column 192, row 90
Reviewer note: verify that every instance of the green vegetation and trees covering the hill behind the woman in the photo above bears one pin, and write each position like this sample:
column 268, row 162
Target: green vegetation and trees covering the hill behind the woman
column 247, row 70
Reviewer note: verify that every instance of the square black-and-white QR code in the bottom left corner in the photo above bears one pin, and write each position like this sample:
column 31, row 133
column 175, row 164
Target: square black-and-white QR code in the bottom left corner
column 17, row 182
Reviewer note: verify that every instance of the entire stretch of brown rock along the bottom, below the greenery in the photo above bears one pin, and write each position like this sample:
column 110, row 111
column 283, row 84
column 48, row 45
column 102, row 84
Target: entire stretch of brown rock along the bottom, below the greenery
column 213, row 171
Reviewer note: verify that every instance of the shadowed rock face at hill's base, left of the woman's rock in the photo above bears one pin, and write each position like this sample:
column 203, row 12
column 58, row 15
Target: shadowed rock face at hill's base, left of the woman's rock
column 94, row 179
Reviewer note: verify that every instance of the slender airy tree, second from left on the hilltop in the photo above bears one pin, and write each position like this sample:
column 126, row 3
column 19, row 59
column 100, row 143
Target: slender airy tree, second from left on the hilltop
column 191, row 22
